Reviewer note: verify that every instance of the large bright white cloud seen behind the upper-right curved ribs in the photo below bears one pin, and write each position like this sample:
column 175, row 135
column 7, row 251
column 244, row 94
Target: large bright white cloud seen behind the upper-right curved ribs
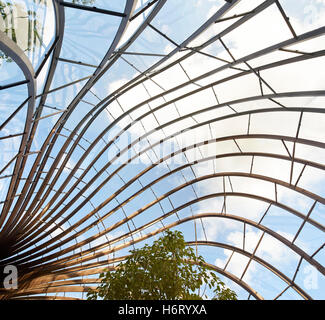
column 265, row 29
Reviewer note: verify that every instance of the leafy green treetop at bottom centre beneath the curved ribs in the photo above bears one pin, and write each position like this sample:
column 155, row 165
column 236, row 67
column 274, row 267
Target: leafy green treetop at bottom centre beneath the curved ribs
column 166, row 270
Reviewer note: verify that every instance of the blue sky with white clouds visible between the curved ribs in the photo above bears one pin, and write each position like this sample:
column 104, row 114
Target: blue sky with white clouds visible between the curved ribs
column 87, row 37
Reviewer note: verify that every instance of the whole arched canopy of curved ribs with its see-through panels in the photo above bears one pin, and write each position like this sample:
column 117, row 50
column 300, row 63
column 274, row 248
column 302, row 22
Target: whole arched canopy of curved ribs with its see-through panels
column 143, row 131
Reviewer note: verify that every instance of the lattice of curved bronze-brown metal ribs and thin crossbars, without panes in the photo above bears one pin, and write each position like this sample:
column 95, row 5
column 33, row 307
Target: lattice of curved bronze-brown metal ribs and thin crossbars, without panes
column 54, row 259
